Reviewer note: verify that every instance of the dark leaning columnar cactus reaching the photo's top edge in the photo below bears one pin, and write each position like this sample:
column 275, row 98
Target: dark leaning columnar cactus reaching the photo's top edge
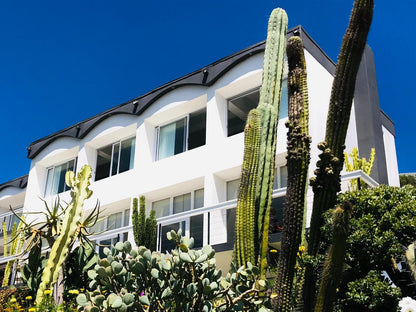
column 326, row 184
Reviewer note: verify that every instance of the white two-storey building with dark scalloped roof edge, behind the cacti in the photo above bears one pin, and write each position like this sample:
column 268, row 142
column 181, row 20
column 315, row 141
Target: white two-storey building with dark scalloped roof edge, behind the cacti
column 181, row 146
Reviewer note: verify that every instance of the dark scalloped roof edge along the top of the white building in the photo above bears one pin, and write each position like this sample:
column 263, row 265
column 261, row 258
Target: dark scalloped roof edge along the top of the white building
column 205, row 76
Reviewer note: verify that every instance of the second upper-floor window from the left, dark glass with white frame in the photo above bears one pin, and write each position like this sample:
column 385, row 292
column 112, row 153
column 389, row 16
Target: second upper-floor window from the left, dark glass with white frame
column 115, row 158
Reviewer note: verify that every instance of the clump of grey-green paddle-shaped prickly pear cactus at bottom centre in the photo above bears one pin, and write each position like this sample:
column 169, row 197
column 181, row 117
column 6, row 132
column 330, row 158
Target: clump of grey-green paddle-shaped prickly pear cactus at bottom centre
column 183, row 280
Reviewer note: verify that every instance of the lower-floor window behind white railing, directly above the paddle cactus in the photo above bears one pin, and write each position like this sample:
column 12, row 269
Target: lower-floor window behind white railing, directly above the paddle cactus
column 192, row 226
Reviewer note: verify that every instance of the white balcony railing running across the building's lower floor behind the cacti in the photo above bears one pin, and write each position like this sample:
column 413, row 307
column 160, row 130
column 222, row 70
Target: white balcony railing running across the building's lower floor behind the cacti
column 205, row 211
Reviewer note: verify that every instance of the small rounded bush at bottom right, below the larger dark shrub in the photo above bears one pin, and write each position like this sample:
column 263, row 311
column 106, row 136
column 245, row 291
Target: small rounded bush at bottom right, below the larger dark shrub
column 371, row 293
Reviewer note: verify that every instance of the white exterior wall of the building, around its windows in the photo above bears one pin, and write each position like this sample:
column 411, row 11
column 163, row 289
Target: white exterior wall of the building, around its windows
column 209, row 166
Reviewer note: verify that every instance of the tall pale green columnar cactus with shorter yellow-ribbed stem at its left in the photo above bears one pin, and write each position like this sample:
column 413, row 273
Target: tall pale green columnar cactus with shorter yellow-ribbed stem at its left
column 268, row 112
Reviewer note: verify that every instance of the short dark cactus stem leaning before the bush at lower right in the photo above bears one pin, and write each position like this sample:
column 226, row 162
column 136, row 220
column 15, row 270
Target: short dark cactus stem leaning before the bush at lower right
column 334, row 262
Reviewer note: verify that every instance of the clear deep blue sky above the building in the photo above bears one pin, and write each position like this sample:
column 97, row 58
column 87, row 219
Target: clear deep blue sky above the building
column 65, row 61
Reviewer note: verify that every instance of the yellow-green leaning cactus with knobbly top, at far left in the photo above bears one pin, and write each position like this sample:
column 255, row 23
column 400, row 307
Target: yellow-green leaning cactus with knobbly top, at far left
column 79, row 192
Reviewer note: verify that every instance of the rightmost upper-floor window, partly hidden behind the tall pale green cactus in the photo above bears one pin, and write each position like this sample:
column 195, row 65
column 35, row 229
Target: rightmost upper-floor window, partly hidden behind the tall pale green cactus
column 239, row 107
